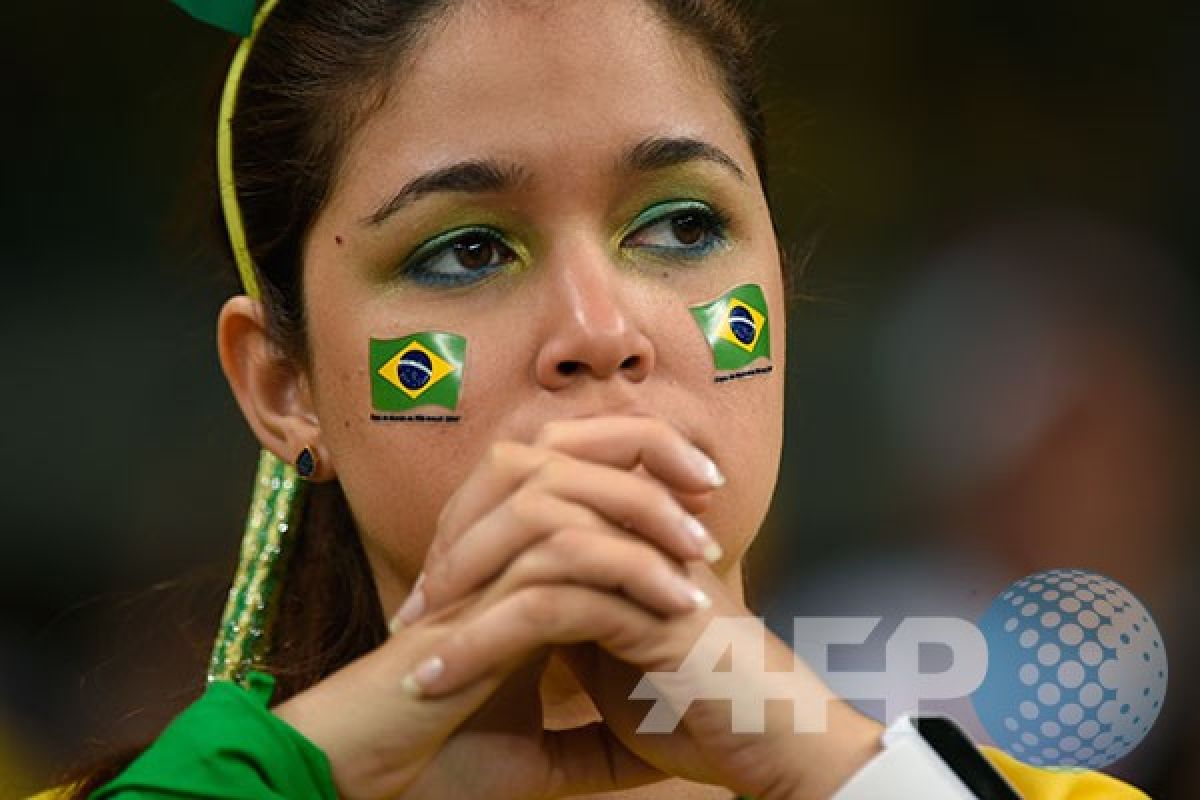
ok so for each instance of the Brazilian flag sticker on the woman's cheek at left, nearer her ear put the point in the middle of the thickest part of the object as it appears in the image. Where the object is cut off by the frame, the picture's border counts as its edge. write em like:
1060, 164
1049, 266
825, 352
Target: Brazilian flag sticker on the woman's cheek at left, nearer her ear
416, 371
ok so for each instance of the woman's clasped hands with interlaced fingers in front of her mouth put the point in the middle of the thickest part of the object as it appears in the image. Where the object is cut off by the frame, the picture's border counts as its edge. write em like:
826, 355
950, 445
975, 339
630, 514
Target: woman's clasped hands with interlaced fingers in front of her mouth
583, 545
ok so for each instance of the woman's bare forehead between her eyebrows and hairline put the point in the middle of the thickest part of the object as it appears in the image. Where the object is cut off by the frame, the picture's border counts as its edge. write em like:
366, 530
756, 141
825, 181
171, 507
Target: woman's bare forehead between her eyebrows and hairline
553, 85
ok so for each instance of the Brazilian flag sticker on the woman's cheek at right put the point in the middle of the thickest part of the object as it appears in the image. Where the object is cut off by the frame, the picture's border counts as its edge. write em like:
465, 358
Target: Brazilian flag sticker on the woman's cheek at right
736, 328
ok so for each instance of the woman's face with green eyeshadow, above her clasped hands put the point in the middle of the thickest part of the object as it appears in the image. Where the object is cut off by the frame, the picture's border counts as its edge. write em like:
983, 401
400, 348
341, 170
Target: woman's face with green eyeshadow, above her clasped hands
609, 188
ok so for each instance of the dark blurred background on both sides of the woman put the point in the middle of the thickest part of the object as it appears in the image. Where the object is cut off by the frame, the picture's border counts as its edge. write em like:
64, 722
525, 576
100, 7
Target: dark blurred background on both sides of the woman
993, 357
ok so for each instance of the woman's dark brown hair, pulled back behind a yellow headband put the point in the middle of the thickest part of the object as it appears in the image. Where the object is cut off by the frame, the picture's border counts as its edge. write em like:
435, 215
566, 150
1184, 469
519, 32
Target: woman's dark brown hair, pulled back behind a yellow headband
316, 73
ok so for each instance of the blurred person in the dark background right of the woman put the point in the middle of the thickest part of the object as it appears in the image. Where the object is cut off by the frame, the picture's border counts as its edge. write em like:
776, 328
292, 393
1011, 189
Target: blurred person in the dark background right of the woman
1039, 380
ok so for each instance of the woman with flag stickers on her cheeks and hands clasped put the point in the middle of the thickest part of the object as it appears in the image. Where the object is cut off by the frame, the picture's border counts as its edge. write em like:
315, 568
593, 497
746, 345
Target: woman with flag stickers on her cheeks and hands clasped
527, 213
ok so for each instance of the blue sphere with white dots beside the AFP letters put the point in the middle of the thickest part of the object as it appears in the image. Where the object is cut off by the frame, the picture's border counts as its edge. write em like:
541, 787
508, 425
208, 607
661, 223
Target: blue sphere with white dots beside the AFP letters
1077, 670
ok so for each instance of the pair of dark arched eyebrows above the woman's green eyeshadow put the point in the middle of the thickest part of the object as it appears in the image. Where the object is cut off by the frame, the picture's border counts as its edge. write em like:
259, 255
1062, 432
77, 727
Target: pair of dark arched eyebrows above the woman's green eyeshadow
490, 176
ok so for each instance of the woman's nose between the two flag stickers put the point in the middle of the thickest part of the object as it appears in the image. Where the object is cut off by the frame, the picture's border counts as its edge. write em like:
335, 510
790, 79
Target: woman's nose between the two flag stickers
590, 333
